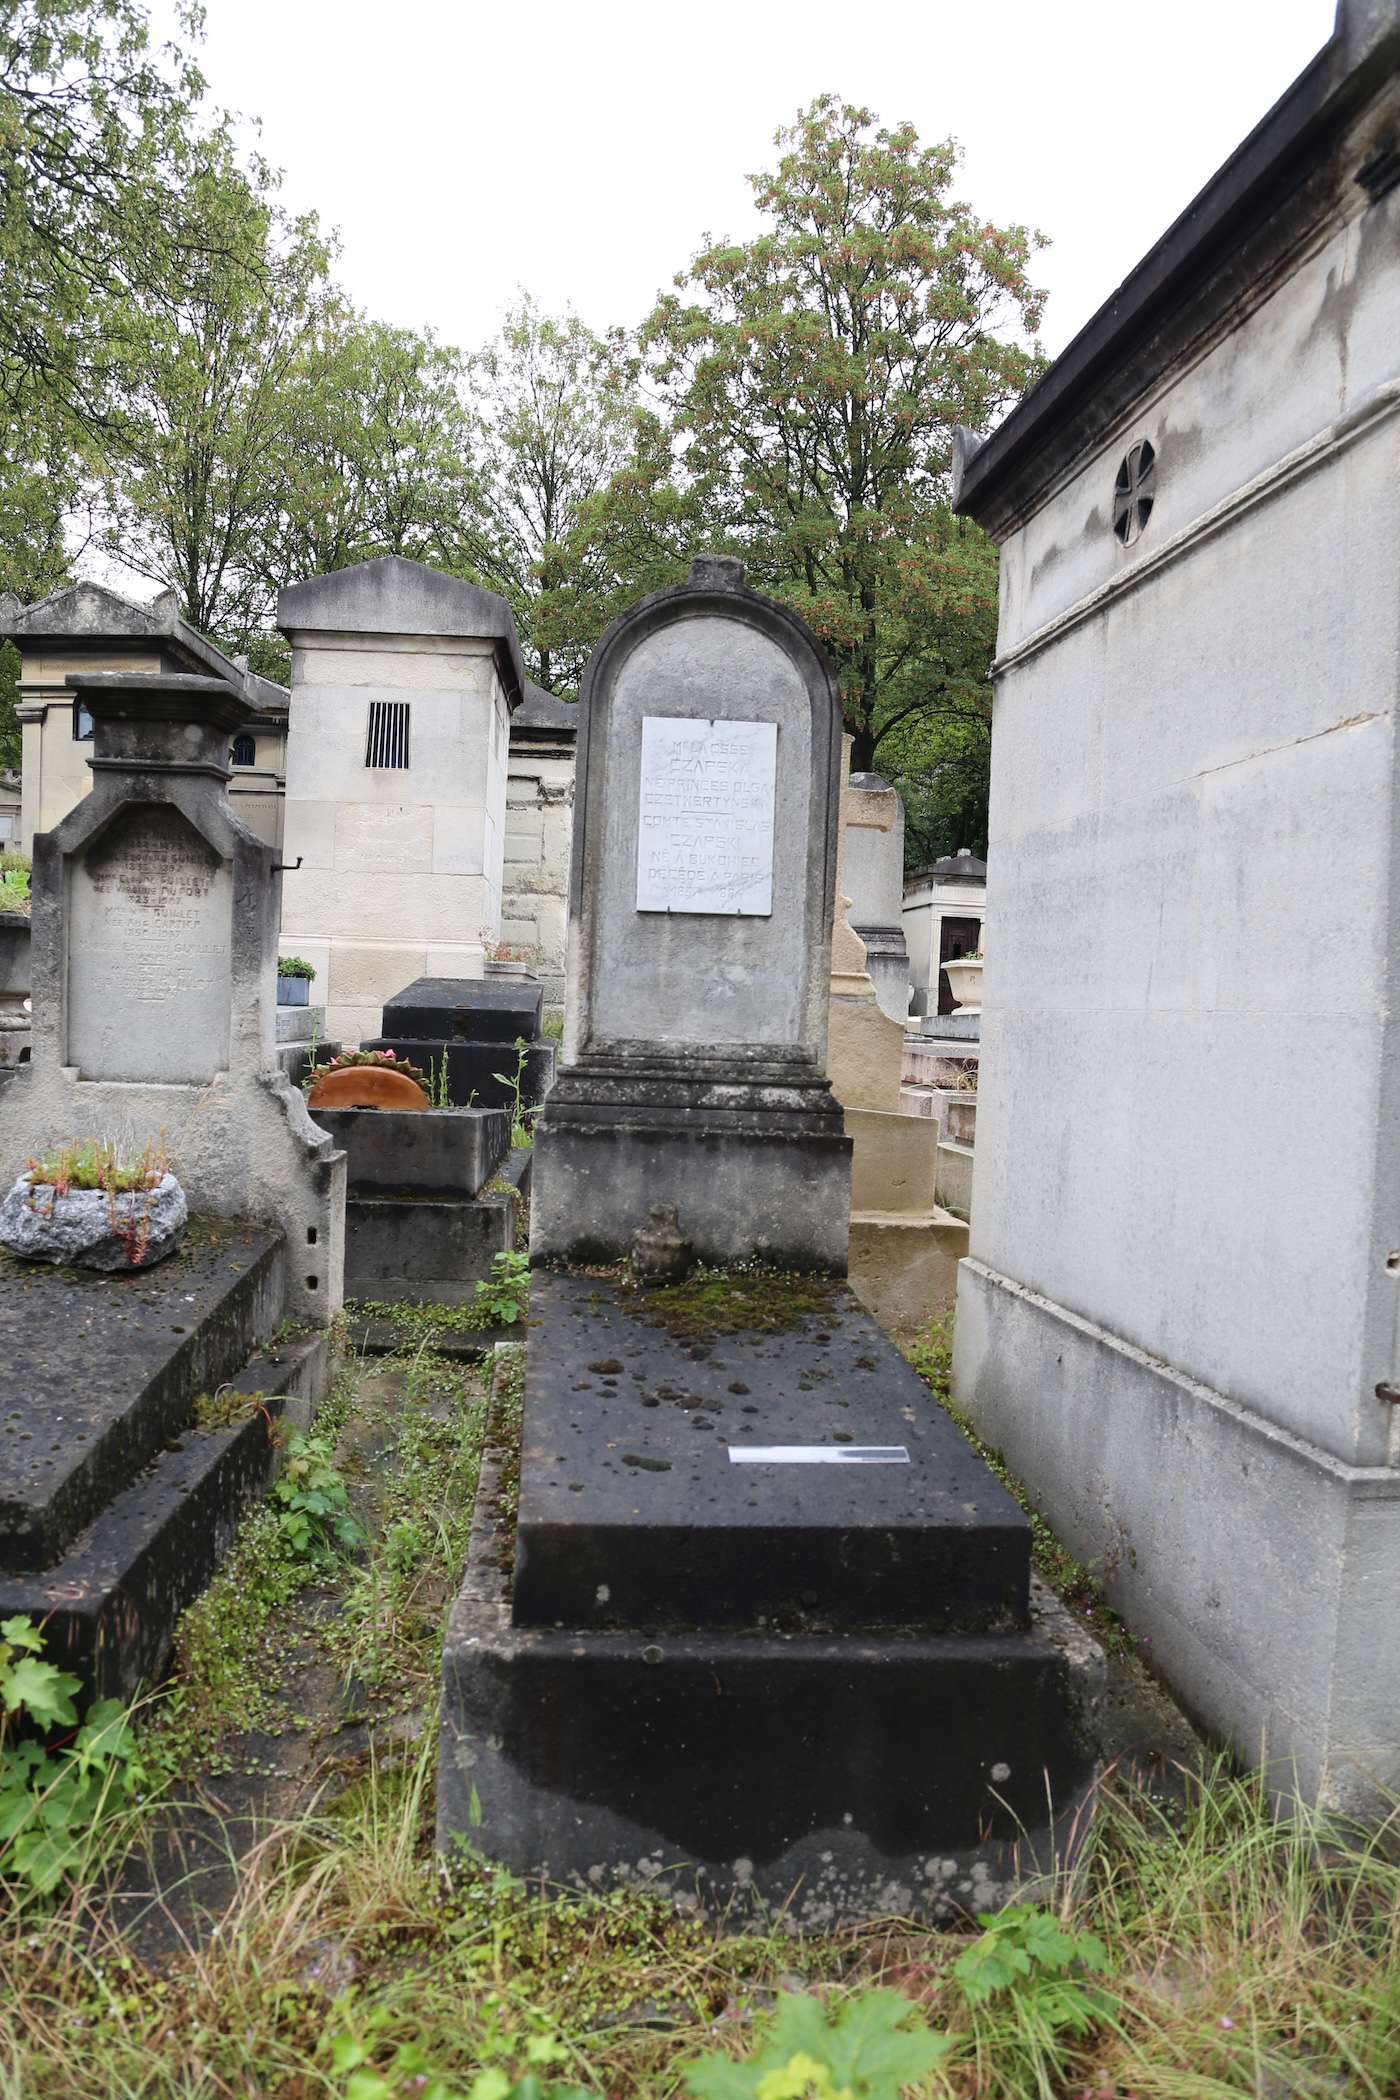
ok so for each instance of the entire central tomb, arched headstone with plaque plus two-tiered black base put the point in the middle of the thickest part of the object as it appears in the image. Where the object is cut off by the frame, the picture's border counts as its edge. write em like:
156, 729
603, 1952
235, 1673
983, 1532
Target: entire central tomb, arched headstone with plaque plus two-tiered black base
757, 1620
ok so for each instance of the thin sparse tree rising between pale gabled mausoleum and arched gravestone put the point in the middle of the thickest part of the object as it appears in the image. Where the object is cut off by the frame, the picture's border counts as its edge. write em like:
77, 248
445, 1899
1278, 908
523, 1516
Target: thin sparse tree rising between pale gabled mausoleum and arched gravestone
555, 417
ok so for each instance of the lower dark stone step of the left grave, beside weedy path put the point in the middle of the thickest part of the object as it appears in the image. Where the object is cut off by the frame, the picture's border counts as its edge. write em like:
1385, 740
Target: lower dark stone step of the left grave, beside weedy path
110, 1608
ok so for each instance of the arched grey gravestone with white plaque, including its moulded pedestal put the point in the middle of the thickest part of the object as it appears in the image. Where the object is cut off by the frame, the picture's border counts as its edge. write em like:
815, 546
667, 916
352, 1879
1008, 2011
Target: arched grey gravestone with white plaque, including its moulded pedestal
700, 940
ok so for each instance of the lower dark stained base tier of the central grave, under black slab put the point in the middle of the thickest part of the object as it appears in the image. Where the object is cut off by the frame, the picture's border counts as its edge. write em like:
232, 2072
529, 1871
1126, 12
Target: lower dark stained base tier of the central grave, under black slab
820, 1773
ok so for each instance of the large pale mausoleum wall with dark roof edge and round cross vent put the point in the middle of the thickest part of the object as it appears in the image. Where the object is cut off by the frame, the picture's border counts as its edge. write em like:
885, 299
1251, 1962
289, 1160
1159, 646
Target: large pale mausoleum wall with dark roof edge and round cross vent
1181, 1311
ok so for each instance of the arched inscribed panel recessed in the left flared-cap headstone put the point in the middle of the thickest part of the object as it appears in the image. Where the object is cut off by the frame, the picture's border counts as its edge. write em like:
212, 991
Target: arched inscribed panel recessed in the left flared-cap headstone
150, 952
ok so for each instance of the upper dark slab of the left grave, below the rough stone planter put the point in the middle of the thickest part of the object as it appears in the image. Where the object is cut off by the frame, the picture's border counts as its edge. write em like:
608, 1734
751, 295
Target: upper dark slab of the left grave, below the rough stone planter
102, 1370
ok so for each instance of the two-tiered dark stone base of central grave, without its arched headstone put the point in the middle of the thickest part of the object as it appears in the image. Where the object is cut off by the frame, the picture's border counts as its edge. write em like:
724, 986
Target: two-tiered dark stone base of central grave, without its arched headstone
826, 1683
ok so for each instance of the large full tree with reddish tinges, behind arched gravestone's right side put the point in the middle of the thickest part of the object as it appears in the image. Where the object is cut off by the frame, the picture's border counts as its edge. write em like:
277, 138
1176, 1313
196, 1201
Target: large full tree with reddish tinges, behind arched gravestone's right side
813, 379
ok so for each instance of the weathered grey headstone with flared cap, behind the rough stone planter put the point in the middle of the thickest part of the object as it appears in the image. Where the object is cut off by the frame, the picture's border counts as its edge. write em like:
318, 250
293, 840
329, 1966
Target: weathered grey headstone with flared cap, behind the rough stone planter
154, 969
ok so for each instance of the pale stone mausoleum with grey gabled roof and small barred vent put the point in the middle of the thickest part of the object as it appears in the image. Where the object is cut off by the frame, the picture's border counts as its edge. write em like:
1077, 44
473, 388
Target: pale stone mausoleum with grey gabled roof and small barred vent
402, 692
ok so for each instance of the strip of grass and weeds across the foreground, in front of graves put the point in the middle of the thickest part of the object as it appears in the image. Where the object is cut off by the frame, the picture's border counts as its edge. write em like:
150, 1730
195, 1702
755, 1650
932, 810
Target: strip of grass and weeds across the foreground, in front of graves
1208, 1952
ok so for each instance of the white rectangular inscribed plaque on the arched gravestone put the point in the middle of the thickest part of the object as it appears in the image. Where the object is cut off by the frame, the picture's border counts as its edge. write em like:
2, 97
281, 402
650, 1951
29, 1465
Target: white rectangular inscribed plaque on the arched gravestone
704, 835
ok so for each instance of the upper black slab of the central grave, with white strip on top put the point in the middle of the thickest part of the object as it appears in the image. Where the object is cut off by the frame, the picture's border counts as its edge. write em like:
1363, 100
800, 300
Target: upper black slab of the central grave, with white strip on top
639, 1505
